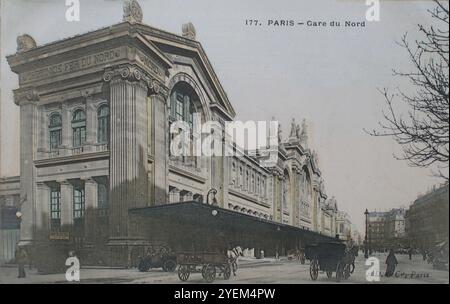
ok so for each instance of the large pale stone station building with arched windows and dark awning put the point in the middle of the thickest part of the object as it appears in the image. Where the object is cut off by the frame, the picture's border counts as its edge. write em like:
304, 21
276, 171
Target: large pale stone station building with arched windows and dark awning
95, 167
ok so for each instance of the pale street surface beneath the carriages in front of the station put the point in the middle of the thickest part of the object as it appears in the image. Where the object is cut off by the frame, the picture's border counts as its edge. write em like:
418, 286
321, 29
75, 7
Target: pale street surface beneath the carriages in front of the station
250, 271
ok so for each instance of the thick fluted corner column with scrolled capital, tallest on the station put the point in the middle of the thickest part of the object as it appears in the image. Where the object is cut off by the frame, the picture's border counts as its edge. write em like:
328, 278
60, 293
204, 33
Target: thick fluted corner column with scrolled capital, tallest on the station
128, 89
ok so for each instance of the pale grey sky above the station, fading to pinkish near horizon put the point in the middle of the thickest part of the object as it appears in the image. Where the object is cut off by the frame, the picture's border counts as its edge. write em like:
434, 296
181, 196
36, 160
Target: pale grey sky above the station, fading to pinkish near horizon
327, 75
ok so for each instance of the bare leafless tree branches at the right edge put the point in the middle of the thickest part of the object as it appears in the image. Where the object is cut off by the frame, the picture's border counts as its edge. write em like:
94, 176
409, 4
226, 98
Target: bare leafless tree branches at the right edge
423, 132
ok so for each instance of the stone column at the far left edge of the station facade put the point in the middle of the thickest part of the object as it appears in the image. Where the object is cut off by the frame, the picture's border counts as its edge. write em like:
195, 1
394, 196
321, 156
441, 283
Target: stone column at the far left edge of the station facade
27, 99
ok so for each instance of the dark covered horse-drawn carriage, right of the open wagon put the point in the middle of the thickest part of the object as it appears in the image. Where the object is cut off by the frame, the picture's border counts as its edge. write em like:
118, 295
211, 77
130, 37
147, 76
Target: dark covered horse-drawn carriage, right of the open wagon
330, 257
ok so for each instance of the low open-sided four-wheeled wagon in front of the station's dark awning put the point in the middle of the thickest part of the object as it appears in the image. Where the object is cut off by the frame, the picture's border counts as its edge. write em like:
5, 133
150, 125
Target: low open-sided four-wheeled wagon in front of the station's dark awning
209, 264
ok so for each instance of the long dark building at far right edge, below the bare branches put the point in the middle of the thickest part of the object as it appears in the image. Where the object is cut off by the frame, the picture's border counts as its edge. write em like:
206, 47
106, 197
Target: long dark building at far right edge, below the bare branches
427, 219
